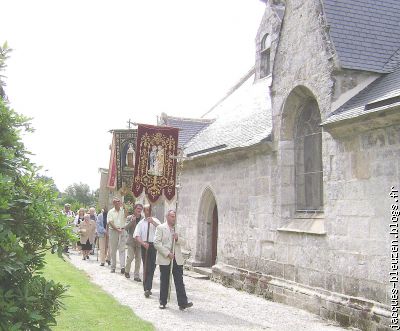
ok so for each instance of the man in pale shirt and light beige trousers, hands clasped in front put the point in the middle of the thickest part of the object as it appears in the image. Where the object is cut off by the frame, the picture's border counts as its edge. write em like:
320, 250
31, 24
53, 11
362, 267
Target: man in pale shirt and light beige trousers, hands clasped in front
117, 234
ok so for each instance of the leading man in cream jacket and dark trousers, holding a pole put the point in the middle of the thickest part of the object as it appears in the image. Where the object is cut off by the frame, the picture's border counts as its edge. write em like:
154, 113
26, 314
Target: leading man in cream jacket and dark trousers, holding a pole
165, 239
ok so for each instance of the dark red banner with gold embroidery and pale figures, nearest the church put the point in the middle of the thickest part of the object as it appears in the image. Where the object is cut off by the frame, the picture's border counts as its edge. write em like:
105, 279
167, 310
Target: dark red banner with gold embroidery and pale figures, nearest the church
155, 170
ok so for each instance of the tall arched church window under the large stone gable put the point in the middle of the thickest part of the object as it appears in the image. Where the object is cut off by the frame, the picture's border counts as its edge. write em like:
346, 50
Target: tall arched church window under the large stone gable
308, 159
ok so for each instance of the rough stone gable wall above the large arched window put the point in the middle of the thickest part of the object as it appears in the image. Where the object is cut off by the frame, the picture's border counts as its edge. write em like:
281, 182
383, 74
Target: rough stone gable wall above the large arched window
304, 57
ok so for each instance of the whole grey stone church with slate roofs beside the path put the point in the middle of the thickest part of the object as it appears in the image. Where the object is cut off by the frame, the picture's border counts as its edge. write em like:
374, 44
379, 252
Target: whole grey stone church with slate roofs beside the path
286, 189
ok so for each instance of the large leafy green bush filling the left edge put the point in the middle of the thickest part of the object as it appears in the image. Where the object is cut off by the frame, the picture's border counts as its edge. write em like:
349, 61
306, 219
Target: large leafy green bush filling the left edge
30, 224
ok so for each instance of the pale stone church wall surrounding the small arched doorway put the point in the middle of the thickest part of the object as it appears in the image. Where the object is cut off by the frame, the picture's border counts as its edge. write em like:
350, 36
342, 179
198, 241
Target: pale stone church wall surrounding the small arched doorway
240, 183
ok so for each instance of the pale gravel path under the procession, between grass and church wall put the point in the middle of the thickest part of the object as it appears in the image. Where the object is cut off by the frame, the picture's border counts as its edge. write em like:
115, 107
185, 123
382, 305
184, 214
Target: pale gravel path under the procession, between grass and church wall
215, 307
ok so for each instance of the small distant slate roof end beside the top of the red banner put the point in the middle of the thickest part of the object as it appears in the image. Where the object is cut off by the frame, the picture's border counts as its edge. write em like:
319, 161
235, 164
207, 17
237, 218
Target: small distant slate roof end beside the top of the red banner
189, 127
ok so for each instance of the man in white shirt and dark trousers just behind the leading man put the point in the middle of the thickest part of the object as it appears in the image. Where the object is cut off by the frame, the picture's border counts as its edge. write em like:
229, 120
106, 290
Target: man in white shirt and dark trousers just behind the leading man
144, 234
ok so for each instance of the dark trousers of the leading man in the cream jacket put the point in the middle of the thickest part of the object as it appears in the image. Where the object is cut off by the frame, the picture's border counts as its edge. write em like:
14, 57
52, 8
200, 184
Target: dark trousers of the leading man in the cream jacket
177, 273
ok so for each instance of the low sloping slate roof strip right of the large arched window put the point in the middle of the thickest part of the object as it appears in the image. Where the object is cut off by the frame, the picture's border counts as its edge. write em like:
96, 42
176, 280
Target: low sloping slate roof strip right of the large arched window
382, 93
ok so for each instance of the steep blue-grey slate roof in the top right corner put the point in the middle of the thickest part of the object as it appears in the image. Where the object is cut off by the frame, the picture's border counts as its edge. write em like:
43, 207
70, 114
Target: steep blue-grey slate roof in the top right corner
365, 33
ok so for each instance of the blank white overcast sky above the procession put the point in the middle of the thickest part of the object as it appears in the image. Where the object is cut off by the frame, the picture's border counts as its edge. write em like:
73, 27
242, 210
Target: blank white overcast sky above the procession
83, 67
